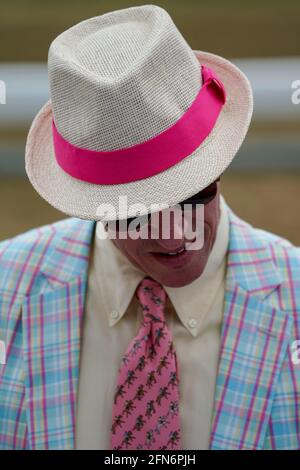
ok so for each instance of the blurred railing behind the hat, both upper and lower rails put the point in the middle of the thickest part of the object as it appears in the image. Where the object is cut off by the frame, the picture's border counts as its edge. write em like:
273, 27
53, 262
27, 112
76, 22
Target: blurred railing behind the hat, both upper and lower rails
26, 87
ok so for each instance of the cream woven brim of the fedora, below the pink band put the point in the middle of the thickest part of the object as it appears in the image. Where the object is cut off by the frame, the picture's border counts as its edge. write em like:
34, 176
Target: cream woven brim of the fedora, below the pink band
81, 199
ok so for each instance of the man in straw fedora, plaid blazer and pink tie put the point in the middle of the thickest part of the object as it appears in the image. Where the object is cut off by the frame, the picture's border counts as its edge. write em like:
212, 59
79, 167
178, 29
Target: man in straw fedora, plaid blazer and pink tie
145, 342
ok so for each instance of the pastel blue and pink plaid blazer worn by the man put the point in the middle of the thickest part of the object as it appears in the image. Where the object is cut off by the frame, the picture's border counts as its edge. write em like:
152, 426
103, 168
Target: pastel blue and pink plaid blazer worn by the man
43, 278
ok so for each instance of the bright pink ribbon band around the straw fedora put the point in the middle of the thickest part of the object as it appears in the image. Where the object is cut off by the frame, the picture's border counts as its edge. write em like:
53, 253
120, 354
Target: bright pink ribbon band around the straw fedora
154, 155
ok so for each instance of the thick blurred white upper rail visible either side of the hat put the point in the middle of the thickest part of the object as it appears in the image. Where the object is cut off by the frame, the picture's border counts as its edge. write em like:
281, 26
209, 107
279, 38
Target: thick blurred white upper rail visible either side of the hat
271, 79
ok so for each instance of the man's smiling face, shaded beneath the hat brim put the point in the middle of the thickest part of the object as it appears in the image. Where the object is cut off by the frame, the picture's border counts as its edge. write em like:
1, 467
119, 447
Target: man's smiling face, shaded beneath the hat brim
151, 255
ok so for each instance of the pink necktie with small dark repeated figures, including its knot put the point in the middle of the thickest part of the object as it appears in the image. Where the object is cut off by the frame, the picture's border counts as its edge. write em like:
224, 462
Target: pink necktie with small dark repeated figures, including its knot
146, 402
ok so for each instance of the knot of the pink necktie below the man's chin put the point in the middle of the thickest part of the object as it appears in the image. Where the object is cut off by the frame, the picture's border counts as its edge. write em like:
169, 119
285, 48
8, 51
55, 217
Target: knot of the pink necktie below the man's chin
152, 297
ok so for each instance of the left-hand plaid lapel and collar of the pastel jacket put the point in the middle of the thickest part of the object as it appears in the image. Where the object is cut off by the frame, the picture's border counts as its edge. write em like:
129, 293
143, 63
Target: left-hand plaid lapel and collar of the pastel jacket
52, 328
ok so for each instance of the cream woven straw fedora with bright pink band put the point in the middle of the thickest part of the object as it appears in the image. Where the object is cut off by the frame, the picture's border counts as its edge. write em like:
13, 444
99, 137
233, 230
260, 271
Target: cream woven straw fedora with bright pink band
134, 112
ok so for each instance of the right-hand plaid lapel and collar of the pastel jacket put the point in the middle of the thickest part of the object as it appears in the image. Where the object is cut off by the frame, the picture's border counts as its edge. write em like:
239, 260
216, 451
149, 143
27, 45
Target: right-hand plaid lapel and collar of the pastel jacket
255, 337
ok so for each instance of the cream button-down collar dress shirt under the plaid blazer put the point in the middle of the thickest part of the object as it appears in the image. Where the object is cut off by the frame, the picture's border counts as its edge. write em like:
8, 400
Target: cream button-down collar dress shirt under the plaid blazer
112, 319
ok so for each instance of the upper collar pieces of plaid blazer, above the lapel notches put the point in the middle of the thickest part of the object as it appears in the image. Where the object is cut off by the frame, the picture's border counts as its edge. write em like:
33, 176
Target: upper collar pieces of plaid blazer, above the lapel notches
250, 262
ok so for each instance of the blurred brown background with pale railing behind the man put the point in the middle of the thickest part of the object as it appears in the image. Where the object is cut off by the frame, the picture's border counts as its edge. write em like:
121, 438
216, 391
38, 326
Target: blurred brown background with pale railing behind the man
262, 37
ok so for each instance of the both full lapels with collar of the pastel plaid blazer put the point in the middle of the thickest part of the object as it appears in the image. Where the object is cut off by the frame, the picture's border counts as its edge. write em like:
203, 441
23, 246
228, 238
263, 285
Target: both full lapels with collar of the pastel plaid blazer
254, 340
